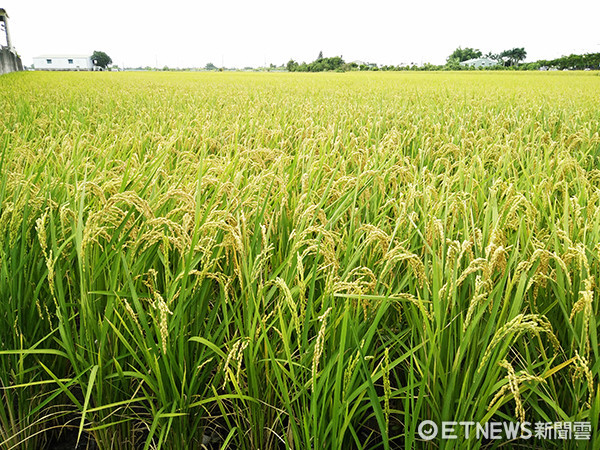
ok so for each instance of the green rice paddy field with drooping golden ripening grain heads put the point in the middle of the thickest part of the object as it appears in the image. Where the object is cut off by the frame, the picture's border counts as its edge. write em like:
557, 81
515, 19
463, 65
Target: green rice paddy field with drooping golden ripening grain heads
299, 261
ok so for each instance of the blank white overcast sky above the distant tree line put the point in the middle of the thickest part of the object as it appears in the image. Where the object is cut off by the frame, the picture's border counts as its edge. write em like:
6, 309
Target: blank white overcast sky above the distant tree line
240, 33
